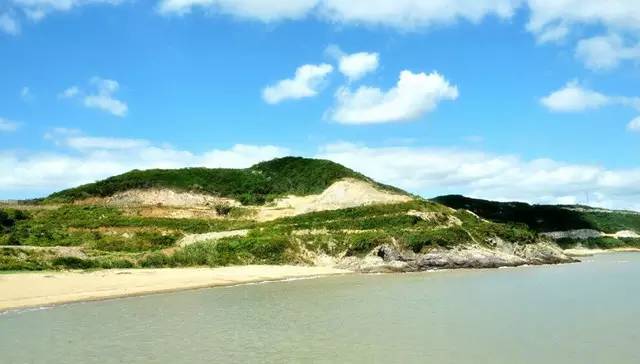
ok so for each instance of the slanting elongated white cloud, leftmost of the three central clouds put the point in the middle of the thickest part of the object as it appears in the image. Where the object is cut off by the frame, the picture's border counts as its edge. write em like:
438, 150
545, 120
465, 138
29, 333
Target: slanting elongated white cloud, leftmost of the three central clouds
307, 82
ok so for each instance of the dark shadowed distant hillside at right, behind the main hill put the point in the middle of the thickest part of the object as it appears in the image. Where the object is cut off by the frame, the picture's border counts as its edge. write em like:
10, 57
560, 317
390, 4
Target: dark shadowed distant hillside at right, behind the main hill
545, 218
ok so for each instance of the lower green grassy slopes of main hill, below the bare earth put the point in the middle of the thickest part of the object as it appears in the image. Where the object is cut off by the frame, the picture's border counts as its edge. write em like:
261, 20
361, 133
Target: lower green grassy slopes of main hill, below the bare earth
103, 237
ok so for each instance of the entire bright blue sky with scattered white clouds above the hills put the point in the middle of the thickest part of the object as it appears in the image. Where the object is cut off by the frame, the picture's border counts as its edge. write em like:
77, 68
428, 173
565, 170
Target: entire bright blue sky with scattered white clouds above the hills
530, 100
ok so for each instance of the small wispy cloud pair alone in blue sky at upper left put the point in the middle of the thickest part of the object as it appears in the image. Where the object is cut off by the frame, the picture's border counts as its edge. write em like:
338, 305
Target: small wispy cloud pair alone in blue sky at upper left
101, 98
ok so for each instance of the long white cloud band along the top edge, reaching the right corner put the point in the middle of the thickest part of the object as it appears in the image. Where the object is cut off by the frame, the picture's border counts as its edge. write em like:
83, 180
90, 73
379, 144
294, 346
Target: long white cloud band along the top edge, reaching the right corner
549, 20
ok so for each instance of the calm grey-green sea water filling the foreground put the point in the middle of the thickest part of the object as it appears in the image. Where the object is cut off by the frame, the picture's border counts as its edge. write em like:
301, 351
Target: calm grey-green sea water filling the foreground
577, 313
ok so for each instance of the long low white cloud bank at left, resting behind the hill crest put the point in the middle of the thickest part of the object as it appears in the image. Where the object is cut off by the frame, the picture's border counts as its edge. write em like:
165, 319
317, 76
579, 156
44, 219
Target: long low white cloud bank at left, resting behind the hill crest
82, 159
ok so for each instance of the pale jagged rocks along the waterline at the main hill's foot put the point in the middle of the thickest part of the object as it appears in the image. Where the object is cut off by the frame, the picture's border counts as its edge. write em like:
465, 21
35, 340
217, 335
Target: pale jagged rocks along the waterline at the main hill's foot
388, 258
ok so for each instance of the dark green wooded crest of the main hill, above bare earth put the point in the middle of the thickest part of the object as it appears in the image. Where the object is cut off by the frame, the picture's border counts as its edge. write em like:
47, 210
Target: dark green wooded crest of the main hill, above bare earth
255, 185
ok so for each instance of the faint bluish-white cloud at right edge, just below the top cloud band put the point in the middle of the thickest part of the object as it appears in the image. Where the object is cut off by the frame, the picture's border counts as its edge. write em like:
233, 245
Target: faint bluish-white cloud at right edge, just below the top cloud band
606, 52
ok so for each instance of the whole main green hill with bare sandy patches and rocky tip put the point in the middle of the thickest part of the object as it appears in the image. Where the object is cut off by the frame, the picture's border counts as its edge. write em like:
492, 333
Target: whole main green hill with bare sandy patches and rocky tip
293, 211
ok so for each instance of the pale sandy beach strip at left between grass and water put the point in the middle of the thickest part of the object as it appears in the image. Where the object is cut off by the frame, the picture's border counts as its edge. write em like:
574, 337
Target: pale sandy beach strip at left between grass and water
20, 290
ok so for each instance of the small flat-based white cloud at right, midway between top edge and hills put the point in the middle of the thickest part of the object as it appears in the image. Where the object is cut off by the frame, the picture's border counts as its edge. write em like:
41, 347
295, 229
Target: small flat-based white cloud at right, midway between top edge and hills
573, 98
